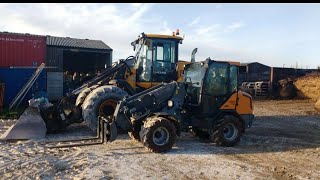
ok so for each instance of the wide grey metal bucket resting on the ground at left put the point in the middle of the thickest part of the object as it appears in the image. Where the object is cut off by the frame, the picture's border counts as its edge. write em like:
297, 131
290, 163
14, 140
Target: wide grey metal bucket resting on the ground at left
30, 125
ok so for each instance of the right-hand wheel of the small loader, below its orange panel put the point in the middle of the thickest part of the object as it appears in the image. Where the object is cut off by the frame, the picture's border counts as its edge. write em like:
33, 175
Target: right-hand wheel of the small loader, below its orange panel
227, 132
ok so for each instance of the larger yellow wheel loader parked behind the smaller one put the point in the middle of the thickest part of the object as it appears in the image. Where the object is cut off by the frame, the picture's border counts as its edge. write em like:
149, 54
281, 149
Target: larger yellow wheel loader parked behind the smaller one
156, 61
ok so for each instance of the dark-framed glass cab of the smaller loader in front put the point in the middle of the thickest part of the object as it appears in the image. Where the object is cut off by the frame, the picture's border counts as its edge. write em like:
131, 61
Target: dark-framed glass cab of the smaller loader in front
209, 85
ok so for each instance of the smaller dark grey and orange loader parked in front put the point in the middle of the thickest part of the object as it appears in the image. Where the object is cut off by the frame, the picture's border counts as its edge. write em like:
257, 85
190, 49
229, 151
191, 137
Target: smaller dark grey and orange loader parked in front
207, 101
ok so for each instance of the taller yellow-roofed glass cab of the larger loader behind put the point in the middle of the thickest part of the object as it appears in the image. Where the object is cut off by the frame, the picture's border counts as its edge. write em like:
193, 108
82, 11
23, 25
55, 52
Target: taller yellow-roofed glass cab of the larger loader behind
157, 59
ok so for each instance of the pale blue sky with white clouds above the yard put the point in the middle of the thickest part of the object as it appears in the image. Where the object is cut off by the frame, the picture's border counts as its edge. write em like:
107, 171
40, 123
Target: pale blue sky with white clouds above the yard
273, 34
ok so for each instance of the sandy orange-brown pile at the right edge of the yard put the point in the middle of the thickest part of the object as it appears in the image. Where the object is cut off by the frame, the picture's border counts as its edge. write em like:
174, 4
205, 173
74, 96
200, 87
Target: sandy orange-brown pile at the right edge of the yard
308, 87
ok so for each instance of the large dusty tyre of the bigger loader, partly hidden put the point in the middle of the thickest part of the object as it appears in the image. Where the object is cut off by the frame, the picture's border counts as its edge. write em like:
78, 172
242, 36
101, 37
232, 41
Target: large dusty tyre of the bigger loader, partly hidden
101, 102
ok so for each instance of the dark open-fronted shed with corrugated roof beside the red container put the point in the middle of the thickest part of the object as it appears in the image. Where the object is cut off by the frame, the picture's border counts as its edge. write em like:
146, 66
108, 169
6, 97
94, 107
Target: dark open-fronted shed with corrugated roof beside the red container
72, 60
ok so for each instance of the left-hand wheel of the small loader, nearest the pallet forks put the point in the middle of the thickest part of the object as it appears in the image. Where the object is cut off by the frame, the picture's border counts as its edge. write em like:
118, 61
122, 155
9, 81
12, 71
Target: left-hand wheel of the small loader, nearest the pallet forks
158, 134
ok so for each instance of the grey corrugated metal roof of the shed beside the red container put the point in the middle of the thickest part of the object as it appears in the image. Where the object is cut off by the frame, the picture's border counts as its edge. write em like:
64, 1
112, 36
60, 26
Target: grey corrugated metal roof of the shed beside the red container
77, 43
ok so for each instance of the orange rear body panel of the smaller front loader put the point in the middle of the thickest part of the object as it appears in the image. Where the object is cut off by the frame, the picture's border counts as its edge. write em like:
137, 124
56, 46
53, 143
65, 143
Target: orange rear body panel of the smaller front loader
243, 105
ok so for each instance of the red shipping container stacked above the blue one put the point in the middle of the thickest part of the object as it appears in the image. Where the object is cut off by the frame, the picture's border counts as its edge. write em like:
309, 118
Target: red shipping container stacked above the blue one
21, 49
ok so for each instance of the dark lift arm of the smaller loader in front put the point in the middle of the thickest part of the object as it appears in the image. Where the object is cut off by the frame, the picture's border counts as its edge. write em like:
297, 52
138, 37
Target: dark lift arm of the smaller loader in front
133, 111
